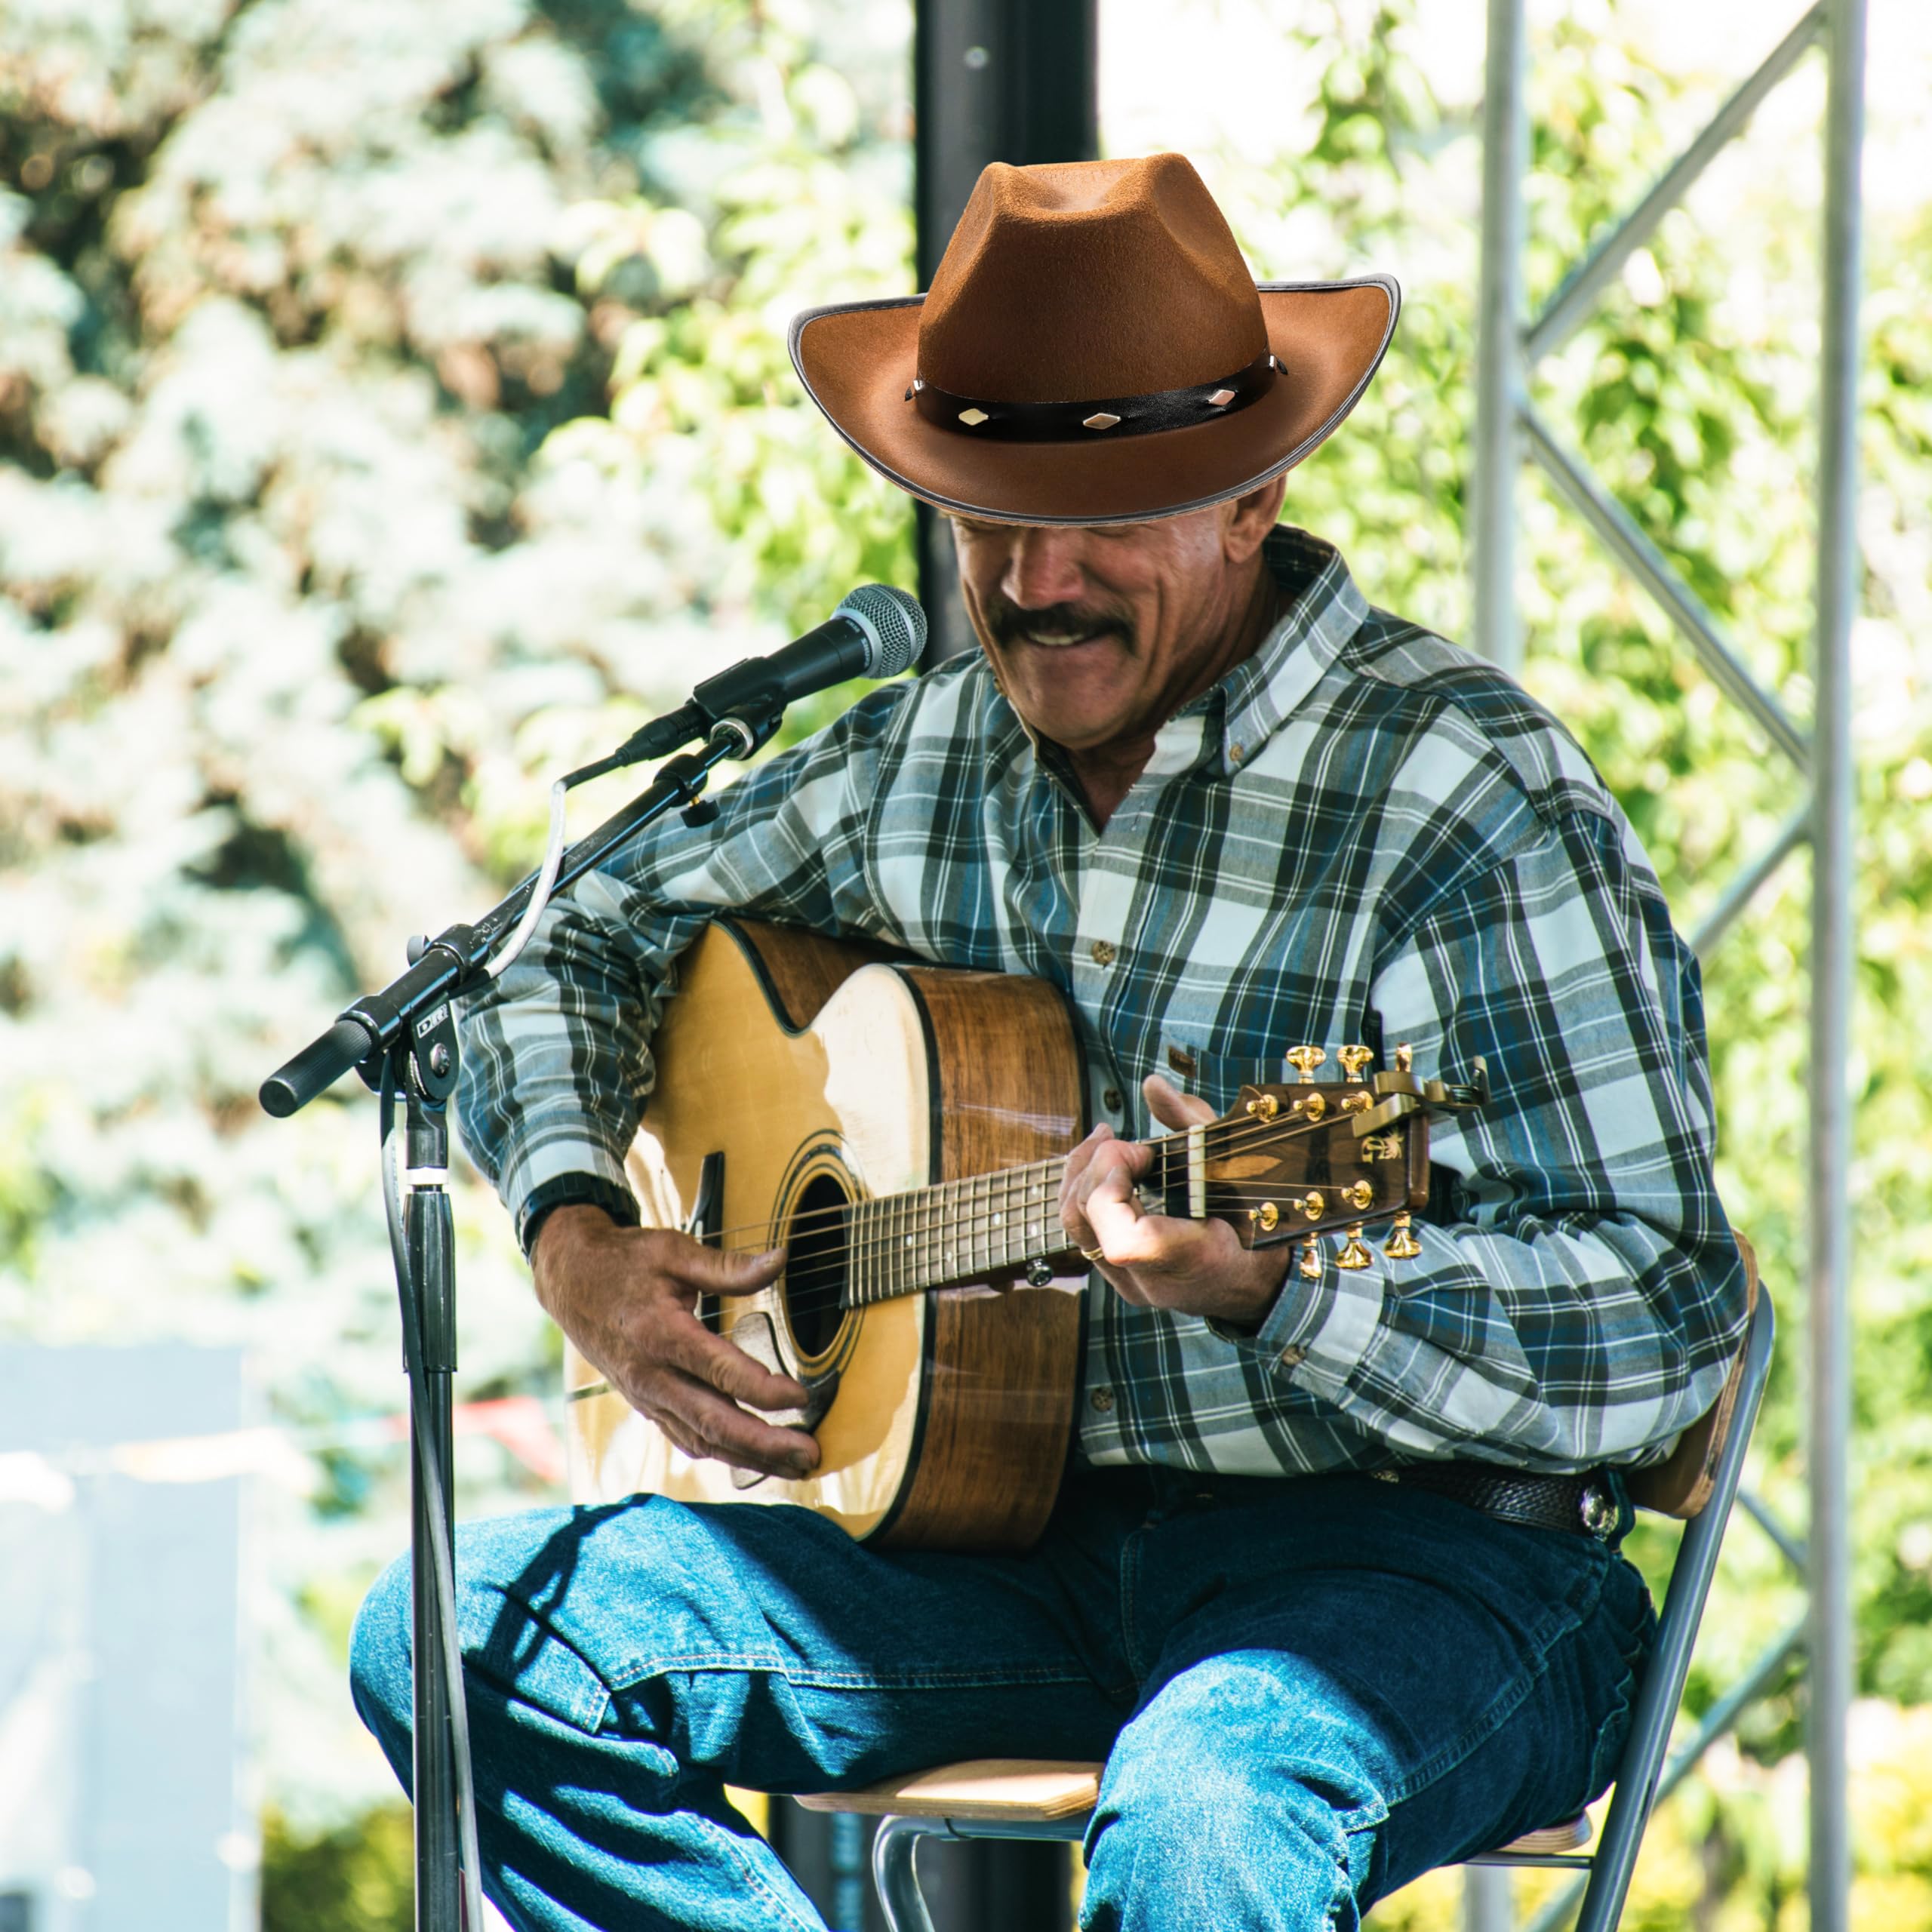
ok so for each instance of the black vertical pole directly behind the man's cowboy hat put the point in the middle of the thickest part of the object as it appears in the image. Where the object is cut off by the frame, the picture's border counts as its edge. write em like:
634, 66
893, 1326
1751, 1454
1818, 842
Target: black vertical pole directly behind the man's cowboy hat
992, 80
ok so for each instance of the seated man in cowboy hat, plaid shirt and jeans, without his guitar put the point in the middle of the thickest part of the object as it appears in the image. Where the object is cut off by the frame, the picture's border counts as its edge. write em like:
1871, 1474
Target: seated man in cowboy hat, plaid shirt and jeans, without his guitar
1334, 1581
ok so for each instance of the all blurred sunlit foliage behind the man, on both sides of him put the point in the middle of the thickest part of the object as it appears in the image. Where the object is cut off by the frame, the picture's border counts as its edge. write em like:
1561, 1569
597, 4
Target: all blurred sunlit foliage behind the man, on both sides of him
395, 407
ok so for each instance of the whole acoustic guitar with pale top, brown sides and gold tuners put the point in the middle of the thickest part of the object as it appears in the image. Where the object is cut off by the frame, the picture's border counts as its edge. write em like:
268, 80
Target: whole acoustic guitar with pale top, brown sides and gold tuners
901, 1129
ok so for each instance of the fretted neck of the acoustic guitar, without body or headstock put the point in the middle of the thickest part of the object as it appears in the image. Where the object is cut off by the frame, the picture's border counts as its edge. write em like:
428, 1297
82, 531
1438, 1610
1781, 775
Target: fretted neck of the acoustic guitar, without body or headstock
986, 1226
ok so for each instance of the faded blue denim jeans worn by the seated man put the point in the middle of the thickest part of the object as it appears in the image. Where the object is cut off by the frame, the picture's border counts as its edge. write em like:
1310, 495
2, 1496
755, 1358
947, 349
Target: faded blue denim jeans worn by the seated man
1307, 1691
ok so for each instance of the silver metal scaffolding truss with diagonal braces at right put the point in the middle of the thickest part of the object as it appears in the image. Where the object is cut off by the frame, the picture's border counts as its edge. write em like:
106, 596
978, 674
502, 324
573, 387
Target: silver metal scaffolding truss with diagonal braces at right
1512, 430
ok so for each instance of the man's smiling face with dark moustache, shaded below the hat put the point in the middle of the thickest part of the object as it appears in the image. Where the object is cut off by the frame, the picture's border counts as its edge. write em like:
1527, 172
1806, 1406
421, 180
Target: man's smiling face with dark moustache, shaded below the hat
1102, 631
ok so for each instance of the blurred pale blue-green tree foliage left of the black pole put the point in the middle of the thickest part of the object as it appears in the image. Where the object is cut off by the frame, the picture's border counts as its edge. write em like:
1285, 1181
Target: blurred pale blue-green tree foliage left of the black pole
318, 552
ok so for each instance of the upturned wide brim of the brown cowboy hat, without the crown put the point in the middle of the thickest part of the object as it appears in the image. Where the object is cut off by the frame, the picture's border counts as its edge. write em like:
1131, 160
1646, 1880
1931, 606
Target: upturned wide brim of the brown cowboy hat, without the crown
859, 358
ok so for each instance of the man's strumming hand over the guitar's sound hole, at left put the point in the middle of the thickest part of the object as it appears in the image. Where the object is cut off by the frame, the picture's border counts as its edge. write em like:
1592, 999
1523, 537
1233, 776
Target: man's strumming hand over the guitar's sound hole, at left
629, 1299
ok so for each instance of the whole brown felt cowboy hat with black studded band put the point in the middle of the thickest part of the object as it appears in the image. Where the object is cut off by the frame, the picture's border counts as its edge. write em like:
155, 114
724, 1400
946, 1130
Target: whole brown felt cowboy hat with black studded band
1093, 353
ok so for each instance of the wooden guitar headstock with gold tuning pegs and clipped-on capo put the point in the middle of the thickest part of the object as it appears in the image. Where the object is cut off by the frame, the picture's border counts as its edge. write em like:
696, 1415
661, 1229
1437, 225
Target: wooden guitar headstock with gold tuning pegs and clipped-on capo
1307, 1158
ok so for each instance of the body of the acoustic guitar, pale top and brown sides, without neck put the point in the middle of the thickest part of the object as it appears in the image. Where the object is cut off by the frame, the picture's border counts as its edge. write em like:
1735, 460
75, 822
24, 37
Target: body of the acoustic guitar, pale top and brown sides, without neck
797, 1075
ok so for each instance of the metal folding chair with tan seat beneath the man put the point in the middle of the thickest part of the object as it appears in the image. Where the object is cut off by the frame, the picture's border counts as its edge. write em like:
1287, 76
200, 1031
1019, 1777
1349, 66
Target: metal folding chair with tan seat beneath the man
1017, 1798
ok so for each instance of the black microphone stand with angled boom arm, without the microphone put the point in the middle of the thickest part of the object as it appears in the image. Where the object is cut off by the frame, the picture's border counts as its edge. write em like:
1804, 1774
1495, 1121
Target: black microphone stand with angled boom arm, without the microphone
403, 1040
